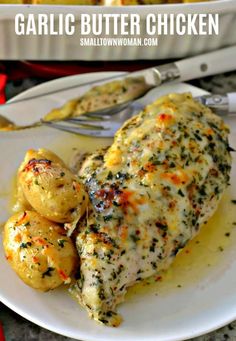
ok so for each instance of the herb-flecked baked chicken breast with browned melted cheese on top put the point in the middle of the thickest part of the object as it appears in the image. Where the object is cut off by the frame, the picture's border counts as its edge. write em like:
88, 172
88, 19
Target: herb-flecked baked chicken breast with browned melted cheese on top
150, 192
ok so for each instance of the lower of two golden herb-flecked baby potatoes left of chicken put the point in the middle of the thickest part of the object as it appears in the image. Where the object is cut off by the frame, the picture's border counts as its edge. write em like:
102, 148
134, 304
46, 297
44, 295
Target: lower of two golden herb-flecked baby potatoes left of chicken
38, 250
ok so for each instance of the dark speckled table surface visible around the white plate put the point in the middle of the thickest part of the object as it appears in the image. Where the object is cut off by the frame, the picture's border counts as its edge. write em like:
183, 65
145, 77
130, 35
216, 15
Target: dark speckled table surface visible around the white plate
17, 328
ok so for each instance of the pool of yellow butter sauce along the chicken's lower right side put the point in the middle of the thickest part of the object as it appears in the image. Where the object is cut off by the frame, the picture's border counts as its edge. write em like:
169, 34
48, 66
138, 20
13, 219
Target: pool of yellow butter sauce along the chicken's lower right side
200, 255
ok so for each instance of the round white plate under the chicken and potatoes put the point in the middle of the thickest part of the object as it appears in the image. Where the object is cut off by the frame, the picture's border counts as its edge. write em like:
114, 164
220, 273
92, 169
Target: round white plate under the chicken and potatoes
202, 306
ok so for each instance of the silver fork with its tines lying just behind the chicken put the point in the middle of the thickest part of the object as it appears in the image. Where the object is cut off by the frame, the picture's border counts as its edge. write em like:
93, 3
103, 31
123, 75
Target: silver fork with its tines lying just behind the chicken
107, 125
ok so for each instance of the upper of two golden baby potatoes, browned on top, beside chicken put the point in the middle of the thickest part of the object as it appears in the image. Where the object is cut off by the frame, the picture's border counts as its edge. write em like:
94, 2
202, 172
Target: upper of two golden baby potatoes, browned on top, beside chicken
51, 188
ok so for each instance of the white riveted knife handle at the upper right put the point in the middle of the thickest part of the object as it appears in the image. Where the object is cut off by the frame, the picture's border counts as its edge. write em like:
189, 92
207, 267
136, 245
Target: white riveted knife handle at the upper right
207, 64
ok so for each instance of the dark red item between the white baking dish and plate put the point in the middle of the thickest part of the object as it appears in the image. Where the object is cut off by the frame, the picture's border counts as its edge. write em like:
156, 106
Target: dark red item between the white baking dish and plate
19, 71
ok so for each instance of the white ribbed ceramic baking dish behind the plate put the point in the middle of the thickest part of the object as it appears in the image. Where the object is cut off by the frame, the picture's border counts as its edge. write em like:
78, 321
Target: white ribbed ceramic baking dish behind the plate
68, 47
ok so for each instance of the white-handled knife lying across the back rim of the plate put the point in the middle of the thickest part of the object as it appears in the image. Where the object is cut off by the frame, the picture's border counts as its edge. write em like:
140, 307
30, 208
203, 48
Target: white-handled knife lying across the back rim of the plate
203, 65
